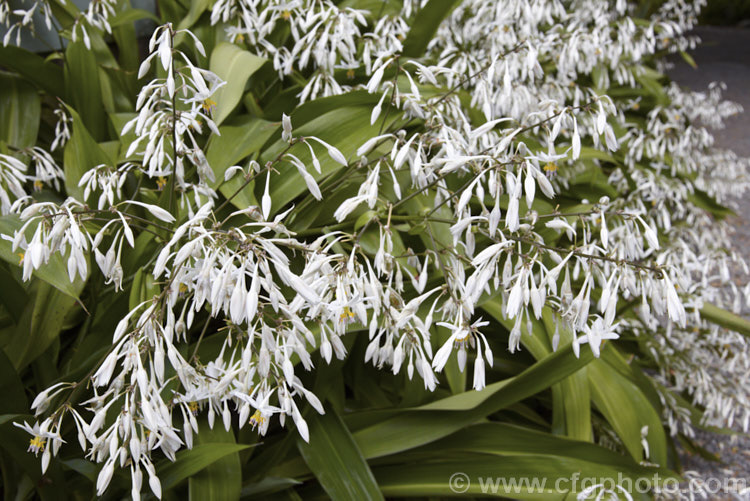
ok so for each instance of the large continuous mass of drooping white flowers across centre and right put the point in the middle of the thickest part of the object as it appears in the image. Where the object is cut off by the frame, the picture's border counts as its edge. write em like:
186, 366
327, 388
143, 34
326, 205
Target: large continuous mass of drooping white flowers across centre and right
478, 139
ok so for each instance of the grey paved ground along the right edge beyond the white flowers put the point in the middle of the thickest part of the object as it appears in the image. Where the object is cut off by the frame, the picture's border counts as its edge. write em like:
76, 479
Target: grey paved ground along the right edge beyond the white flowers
725, 56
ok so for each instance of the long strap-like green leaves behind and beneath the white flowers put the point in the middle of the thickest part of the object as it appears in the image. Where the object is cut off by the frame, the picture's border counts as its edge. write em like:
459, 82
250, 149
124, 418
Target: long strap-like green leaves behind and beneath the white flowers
382, 435
